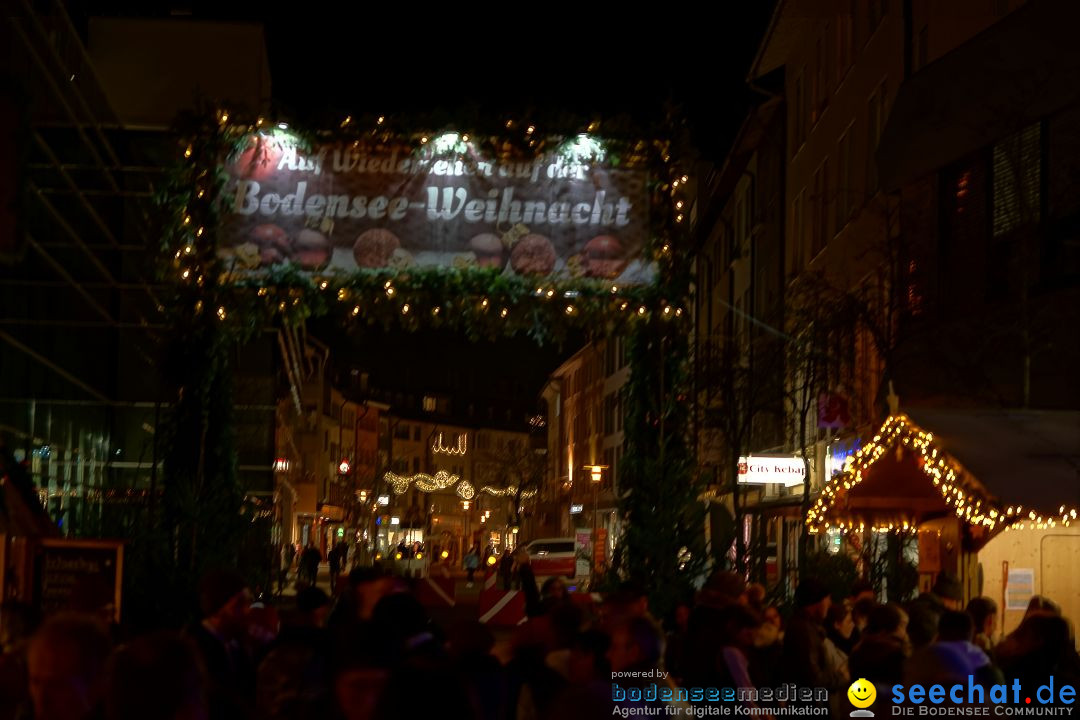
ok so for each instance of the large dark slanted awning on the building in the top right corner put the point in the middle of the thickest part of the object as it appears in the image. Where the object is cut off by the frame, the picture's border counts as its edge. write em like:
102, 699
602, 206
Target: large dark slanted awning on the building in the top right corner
1019, 71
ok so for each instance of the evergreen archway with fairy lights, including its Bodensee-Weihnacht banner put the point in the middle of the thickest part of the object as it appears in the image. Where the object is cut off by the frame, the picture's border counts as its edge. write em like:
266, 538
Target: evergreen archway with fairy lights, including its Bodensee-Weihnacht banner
510, 229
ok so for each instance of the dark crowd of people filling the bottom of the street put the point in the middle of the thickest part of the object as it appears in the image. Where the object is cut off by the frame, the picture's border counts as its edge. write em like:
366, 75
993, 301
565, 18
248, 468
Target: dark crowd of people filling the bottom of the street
373, 651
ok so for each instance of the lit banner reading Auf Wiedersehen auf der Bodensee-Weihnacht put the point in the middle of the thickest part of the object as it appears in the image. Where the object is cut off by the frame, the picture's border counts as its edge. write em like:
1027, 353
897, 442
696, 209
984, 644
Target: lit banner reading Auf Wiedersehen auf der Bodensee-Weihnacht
566, 214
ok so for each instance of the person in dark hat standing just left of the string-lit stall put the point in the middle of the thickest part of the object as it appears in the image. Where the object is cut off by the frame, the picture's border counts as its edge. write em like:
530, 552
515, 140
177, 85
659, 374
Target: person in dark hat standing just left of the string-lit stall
805, 656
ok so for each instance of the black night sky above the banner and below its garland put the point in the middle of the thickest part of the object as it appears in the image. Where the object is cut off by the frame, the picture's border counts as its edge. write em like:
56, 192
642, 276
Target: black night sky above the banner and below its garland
466, 60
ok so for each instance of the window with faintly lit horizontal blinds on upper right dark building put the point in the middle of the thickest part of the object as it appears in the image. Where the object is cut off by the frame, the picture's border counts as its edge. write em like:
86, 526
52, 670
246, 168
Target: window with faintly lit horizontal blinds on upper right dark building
1018, 180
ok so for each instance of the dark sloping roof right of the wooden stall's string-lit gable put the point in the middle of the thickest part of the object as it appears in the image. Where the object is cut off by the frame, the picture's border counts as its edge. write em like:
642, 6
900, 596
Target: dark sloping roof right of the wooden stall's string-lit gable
1030, 458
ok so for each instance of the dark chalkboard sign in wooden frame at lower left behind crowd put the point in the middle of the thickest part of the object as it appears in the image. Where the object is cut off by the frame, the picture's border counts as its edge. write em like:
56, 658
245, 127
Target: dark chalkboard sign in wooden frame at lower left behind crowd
78, 575
